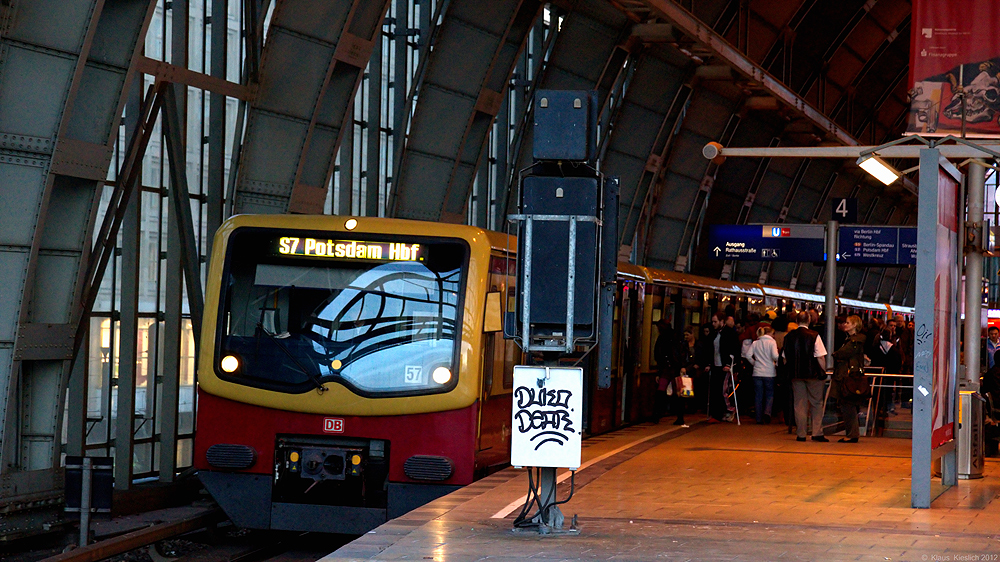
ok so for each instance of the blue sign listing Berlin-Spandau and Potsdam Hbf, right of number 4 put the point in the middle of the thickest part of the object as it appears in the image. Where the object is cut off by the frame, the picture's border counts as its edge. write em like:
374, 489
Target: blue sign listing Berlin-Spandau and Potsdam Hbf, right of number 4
877, 245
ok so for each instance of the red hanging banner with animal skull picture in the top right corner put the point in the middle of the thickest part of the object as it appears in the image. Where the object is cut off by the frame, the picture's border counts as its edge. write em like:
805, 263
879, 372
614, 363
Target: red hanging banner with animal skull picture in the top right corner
955, 47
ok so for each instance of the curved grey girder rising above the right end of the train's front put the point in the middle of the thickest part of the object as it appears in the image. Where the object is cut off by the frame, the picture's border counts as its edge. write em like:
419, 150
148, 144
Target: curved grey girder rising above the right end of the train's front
458, 97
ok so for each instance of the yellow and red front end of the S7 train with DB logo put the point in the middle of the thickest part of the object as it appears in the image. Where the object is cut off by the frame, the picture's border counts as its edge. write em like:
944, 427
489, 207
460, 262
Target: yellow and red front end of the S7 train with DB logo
337, 374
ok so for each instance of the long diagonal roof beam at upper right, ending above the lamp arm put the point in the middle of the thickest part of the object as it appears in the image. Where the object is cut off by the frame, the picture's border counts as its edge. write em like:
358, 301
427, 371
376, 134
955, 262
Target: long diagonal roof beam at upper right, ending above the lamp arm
686, 22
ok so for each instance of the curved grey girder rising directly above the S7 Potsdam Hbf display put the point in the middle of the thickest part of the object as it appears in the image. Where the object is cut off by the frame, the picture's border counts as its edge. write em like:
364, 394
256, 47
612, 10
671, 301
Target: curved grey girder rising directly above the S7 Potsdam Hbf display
312, 64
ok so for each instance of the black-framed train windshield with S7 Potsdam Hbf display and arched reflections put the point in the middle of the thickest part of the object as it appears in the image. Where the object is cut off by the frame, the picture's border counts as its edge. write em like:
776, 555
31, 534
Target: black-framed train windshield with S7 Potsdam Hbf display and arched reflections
381, 317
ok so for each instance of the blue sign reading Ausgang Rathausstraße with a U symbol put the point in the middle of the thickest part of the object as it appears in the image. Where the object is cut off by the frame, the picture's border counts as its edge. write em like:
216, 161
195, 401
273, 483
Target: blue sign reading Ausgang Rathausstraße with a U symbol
768, 242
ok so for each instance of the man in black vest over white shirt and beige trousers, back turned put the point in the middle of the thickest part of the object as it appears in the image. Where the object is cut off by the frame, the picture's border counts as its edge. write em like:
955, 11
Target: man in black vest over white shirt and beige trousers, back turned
803, 352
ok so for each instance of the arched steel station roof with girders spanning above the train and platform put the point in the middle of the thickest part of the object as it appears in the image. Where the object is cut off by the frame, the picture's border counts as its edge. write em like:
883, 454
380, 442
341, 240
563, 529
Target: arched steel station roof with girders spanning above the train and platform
671, 76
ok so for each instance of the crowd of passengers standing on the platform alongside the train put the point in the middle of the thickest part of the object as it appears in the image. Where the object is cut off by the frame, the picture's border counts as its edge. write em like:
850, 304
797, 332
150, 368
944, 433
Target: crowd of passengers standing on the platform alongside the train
783, 360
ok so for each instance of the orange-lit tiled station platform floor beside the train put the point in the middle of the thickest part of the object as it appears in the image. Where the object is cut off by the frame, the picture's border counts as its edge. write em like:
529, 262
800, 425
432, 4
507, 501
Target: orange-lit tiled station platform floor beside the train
710, 492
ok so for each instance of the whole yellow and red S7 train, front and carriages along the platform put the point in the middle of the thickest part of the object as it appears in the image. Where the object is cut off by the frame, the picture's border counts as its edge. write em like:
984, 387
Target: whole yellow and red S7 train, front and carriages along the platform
352, 369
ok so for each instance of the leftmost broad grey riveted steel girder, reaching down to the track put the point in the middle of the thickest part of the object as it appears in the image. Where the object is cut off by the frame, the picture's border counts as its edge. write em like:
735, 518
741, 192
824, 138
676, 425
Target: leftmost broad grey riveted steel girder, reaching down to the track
64, 70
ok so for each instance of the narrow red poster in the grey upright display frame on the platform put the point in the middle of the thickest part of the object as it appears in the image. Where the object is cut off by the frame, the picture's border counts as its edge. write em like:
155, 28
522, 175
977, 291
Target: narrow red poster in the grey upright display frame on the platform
946, 286
